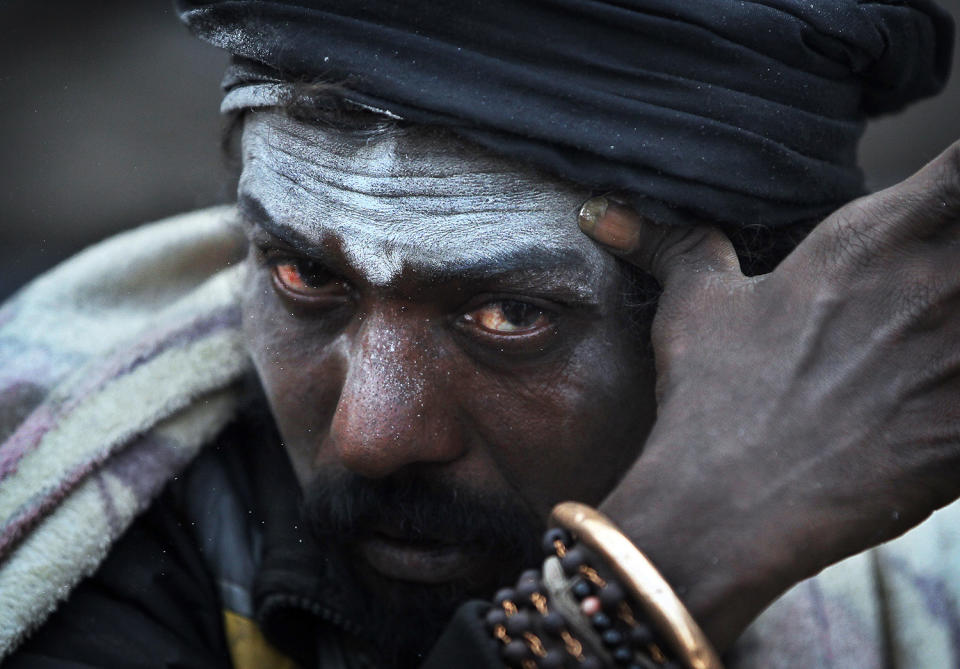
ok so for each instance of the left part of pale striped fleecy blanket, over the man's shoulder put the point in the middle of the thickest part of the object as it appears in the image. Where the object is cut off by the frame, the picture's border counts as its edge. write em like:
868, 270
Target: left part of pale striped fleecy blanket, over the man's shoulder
115, 368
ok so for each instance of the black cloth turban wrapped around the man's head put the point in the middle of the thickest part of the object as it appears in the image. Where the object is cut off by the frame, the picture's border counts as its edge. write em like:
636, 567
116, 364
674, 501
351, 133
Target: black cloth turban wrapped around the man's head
737, 111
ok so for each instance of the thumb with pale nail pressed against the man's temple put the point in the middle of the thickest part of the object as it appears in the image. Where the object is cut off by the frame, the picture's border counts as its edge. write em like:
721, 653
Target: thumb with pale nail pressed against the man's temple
672, 254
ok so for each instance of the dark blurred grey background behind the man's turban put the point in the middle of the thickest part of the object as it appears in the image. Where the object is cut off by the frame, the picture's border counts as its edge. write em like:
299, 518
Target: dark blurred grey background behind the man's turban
109, 118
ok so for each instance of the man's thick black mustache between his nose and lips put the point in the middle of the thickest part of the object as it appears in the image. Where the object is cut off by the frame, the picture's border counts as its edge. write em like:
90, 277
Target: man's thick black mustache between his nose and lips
410, 506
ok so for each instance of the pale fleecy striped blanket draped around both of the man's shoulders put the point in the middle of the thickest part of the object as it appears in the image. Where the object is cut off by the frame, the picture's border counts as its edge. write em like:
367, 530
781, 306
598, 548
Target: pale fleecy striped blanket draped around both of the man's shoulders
119, 365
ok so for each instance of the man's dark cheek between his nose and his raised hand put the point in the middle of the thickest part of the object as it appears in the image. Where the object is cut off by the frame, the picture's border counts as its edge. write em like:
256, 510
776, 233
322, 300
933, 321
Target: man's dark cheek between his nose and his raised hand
569, 433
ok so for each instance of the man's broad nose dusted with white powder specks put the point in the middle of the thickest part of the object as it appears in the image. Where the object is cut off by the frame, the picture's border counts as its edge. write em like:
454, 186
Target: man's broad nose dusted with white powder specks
393, 410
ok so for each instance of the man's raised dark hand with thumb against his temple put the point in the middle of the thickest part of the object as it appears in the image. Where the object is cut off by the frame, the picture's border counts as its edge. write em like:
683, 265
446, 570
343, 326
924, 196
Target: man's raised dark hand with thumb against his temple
804, 415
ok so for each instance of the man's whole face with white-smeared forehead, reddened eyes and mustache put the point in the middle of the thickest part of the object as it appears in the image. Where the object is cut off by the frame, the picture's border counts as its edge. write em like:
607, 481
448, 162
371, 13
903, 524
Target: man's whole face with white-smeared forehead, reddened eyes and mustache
435, 338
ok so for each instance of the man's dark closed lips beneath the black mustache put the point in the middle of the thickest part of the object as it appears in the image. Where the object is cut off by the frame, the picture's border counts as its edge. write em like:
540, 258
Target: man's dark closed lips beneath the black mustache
419, 562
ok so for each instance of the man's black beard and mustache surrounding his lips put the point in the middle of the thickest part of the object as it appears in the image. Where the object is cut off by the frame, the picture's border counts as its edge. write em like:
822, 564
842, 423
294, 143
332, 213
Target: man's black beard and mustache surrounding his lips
341, 510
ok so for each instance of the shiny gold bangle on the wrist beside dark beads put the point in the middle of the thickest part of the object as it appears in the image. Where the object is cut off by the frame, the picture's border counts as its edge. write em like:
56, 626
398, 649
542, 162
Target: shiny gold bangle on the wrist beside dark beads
666, 612
